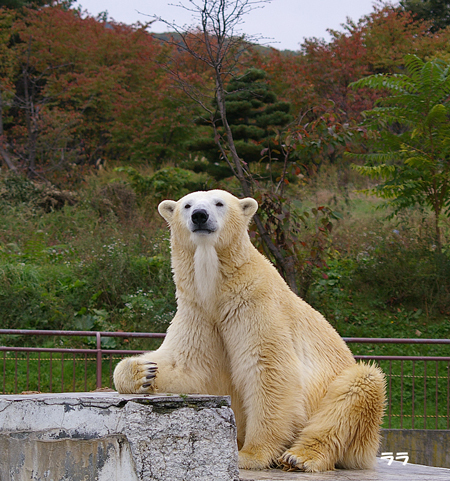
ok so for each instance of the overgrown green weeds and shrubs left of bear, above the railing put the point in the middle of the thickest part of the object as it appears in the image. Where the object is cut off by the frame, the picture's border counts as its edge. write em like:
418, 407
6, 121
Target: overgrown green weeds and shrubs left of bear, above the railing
76, 268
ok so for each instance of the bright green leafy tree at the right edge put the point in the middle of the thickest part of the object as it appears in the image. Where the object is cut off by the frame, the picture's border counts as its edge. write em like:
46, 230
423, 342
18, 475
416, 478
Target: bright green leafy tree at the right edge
412, 151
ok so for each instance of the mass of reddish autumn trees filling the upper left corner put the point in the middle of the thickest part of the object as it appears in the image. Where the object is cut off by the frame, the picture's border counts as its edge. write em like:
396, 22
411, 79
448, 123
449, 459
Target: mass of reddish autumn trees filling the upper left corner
81, 91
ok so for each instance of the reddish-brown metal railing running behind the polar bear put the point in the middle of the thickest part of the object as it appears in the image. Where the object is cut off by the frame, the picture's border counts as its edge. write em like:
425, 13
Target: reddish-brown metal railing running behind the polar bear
418, 387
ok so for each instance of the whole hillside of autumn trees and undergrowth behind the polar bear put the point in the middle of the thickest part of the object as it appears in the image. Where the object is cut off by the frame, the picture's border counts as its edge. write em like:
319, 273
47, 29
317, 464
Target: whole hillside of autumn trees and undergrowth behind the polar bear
99, 121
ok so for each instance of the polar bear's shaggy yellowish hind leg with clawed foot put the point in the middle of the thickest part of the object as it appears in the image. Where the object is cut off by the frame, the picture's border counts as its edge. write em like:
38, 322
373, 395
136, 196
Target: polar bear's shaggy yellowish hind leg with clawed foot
344, 431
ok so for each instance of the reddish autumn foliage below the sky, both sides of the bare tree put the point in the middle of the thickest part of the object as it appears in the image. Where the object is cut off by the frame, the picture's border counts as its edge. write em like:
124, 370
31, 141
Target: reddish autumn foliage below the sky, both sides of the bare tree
78, 91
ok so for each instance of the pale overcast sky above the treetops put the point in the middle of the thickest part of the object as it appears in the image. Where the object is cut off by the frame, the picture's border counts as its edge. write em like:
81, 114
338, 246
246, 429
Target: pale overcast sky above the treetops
284, 23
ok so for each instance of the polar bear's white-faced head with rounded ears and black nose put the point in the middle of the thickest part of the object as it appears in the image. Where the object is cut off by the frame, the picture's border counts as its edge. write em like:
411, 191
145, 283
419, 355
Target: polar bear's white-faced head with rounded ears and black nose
208, 217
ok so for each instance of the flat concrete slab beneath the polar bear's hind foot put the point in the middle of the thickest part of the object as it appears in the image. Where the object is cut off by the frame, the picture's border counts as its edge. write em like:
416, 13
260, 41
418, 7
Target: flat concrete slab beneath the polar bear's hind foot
382, 472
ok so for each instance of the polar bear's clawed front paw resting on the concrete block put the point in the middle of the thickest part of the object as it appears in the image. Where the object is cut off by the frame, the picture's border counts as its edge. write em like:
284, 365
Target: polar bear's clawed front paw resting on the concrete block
135, 375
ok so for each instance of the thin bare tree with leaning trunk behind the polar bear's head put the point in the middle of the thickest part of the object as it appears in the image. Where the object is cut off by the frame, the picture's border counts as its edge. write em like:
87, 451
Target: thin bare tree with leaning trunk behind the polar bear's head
219, 47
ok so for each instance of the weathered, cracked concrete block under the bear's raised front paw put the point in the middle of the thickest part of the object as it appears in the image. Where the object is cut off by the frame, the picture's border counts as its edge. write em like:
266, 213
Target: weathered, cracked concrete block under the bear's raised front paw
107, 437
